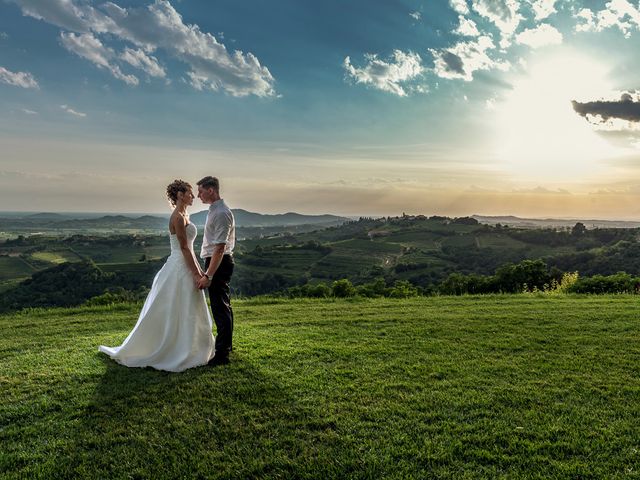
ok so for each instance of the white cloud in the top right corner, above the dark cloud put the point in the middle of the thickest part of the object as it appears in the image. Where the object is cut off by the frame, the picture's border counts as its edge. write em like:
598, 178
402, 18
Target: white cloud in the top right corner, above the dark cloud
617, 13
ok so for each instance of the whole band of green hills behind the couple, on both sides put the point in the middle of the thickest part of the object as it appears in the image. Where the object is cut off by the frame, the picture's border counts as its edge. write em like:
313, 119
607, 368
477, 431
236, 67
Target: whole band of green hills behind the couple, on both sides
423, 251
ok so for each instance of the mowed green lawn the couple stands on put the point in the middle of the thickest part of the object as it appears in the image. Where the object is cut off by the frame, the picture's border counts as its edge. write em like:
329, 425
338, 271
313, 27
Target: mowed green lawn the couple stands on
441, 387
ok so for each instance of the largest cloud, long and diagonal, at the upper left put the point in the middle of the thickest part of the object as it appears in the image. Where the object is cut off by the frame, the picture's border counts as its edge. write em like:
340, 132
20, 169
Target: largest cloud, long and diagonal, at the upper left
159, 26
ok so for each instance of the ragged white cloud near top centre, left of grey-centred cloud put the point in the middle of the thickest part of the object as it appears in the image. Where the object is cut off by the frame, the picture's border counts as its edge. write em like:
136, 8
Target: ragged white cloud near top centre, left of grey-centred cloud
387, 76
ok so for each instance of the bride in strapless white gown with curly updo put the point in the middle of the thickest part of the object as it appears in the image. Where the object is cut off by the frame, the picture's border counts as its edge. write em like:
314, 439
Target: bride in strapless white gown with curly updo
174, 329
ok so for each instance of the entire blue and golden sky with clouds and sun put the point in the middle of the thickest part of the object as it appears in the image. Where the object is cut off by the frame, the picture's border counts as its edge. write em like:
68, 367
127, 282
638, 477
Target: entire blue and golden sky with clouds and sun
350, 107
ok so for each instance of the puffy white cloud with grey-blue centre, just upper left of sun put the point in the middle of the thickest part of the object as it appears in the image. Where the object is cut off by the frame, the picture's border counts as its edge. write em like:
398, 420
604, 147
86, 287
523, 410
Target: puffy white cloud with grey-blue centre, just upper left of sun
464, 58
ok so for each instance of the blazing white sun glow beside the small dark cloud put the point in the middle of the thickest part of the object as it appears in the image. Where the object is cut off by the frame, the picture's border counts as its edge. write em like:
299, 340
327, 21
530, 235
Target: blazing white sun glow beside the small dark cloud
539, 135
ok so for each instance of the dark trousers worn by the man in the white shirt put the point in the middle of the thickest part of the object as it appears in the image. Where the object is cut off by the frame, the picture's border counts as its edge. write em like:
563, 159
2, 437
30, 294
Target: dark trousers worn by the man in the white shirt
219, 295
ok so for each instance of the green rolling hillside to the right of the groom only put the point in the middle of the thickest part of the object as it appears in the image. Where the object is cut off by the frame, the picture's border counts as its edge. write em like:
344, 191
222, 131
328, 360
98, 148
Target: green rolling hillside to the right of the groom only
425, 251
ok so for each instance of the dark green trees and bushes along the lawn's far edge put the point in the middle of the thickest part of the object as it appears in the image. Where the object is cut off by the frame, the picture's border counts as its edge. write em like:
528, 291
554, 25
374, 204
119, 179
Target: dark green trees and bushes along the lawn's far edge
79, 283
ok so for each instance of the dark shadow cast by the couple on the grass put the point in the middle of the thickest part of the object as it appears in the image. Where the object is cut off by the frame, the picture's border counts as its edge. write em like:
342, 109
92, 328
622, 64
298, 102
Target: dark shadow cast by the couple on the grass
226, 422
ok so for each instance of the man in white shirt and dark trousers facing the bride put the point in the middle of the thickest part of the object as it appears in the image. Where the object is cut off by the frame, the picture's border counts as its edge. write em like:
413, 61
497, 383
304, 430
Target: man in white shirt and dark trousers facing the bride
217, 249
